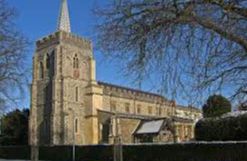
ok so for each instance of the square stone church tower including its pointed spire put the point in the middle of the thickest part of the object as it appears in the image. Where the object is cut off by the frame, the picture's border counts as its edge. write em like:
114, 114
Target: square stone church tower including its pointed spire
63, 71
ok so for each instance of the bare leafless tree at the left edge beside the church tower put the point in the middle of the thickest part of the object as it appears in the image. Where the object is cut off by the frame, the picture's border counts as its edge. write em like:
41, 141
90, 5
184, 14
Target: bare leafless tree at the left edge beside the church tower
12, 57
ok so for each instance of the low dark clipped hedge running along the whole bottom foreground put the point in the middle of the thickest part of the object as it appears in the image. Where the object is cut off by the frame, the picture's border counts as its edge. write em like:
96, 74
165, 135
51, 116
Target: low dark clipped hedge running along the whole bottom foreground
167, 152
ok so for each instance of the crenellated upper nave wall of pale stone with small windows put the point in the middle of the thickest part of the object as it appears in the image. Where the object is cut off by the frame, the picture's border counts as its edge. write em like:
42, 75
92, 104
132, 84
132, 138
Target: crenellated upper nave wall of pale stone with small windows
145, 104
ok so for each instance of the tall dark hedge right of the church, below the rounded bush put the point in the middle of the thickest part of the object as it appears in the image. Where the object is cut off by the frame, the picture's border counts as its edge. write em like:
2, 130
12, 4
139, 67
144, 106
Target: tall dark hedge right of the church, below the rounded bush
222, 129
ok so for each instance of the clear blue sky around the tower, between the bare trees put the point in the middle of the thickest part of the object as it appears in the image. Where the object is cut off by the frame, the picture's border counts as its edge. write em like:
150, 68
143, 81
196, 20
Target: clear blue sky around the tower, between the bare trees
39, 18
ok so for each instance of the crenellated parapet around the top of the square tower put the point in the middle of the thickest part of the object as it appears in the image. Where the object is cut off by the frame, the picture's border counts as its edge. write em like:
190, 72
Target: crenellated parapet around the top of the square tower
62, 37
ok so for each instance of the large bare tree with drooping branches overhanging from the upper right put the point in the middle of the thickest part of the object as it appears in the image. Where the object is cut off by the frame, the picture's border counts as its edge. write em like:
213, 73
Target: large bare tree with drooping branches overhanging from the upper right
184, 45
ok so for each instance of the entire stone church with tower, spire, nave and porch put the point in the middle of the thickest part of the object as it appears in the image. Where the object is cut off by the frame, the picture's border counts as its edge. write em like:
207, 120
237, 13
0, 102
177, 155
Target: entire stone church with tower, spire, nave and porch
69, 106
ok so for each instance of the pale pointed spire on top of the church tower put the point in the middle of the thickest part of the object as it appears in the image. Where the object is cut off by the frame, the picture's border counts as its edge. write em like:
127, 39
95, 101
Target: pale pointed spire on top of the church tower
64, 21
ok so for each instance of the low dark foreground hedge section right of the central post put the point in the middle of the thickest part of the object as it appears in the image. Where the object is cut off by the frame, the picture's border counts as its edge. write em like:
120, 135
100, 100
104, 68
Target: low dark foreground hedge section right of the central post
187, 152
